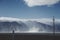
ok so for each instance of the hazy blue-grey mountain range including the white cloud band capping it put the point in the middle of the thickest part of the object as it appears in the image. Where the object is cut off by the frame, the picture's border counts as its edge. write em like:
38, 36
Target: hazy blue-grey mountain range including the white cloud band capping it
7, 24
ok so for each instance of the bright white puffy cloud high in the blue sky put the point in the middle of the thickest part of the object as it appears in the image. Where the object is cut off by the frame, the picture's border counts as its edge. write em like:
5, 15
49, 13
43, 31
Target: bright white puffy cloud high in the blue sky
32, 3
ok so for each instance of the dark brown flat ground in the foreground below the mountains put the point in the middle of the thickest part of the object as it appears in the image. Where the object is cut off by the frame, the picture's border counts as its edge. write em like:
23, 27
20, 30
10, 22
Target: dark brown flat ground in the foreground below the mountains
29, 36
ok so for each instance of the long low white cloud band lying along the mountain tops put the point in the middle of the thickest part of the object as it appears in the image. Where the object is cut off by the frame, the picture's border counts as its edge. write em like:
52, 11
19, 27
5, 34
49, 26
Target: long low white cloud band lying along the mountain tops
42, 20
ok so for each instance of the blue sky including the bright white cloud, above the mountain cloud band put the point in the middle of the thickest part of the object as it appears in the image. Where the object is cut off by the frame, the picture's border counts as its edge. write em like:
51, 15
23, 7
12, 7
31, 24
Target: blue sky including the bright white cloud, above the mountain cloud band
30, 8
